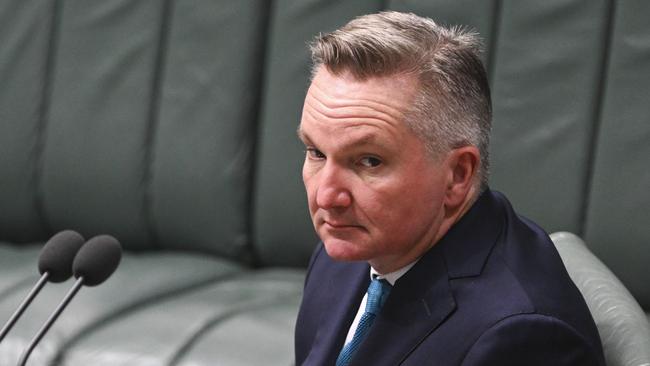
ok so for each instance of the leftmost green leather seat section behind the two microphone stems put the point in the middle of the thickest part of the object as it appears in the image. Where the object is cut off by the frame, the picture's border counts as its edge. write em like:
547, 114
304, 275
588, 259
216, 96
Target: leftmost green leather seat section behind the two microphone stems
139, 281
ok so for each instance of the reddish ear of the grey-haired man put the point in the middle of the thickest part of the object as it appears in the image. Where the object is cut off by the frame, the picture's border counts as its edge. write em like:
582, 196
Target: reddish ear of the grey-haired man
463, 164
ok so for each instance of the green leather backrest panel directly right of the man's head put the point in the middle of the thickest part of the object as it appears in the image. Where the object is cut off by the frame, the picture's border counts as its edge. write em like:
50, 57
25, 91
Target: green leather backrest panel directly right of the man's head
545, 88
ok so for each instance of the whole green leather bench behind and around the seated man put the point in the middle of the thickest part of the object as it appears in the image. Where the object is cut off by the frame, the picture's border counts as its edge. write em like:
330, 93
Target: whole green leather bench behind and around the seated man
171, 126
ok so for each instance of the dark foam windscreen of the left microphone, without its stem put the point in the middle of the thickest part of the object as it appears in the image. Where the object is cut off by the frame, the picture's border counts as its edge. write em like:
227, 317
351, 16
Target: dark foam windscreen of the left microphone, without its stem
57, 255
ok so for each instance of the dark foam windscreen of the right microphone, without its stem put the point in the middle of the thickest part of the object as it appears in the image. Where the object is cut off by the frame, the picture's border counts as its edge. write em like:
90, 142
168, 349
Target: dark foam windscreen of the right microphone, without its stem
97, 260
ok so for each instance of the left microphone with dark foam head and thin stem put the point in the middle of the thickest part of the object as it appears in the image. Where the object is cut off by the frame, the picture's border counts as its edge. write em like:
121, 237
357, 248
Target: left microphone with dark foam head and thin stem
54, 264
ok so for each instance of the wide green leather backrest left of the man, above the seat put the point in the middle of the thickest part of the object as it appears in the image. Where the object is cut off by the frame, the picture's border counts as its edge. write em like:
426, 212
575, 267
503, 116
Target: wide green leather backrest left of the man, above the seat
147, 123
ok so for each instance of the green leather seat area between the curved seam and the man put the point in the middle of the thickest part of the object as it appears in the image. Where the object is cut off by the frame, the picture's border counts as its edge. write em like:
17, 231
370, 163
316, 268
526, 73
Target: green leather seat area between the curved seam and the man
246, 319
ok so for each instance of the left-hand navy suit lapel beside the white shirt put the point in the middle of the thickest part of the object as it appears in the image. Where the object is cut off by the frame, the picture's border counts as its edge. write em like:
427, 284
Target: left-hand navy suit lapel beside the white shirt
345, 288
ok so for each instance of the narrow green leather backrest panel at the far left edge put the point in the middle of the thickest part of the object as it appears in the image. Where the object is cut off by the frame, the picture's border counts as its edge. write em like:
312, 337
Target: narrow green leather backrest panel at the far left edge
24, 39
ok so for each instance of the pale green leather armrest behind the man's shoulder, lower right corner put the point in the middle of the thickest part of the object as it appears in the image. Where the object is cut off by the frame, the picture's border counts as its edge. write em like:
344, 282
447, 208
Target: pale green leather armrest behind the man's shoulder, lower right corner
623, 326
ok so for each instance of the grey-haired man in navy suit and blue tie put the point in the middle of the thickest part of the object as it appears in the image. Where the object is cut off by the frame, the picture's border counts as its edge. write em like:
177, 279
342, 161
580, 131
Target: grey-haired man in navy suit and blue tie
420, 262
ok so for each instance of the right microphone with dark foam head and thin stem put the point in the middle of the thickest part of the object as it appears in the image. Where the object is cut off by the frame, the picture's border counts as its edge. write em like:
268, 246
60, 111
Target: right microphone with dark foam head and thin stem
94, 263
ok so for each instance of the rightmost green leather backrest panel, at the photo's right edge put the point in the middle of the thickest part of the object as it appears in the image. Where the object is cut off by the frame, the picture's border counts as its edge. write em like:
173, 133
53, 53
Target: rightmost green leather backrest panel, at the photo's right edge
617, 227
